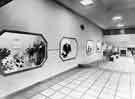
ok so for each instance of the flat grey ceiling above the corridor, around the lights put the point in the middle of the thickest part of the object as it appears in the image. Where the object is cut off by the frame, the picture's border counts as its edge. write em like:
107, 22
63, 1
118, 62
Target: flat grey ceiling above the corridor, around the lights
103, 11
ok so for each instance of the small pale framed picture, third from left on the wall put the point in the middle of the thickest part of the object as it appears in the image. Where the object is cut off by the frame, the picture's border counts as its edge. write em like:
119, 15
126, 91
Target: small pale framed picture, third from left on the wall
89, 47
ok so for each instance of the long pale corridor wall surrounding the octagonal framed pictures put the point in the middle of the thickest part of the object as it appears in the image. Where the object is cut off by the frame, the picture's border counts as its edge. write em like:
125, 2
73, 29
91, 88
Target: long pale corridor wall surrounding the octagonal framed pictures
54, 22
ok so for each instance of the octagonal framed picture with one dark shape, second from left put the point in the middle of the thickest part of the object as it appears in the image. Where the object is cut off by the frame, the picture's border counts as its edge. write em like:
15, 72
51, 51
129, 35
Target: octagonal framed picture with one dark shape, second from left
68, 48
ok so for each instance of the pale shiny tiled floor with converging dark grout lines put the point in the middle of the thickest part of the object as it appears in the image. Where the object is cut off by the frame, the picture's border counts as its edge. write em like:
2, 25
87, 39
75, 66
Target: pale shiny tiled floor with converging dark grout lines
83, 83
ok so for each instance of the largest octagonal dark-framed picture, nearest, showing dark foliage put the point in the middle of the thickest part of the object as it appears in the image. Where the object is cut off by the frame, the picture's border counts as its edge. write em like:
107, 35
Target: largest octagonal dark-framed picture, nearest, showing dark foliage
21, 51
